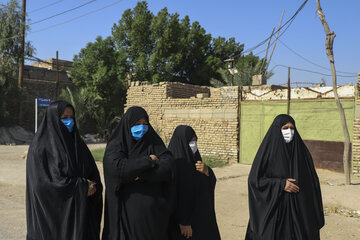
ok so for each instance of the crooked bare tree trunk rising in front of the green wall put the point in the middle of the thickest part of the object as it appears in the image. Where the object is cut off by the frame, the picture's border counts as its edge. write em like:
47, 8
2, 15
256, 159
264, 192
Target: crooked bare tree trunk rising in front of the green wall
329, 52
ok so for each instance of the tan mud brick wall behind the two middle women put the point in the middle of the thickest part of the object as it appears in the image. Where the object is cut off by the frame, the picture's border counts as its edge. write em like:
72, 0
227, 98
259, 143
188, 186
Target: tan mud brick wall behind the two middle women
212, 112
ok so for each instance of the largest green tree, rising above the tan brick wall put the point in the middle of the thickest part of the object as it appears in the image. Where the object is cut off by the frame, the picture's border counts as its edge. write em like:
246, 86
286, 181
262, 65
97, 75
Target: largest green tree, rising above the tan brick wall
164, 47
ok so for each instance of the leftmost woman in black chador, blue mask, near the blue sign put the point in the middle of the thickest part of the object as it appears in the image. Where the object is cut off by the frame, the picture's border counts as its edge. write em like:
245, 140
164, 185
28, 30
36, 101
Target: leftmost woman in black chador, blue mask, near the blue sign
63, 188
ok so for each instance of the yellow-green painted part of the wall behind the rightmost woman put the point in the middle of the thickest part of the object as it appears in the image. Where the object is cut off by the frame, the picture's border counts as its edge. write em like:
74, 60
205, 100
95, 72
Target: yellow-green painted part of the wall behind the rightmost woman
316, 120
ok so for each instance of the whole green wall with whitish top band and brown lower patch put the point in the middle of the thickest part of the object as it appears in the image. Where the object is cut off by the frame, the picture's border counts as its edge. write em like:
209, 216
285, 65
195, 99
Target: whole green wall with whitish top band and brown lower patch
314, 110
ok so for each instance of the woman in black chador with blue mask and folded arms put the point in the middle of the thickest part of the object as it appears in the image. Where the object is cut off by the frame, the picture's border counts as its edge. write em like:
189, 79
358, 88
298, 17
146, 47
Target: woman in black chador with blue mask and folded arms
138, 171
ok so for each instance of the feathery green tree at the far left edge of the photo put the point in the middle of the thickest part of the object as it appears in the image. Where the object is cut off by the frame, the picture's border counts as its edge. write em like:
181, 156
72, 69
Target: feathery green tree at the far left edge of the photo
10, 55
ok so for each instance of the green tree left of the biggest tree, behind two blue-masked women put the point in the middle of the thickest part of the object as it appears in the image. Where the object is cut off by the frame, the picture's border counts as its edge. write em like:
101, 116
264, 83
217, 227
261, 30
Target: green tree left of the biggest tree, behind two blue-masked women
99, 72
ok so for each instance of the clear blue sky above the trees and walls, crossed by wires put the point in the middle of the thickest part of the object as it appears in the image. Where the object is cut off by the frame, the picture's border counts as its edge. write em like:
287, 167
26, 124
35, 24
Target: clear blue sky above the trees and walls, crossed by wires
249, 21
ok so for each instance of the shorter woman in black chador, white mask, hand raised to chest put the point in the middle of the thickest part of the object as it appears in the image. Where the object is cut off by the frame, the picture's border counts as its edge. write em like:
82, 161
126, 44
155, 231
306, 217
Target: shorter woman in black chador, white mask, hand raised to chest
195, 184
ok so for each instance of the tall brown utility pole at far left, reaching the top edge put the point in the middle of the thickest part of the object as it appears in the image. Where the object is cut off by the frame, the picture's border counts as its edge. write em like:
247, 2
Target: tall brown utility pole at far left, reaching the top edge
22, 49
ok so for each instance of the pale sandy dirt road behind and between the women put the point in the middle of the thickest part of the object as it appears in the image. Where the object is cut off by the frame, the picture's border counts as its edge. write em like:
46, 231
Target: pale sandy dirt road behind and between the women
231, 199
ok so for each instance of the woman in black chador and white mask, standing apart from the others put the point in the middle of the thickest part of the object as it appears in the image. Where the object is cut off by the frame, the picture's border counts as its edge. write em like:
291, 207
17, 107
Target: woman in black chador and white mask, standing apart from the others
284, 191
